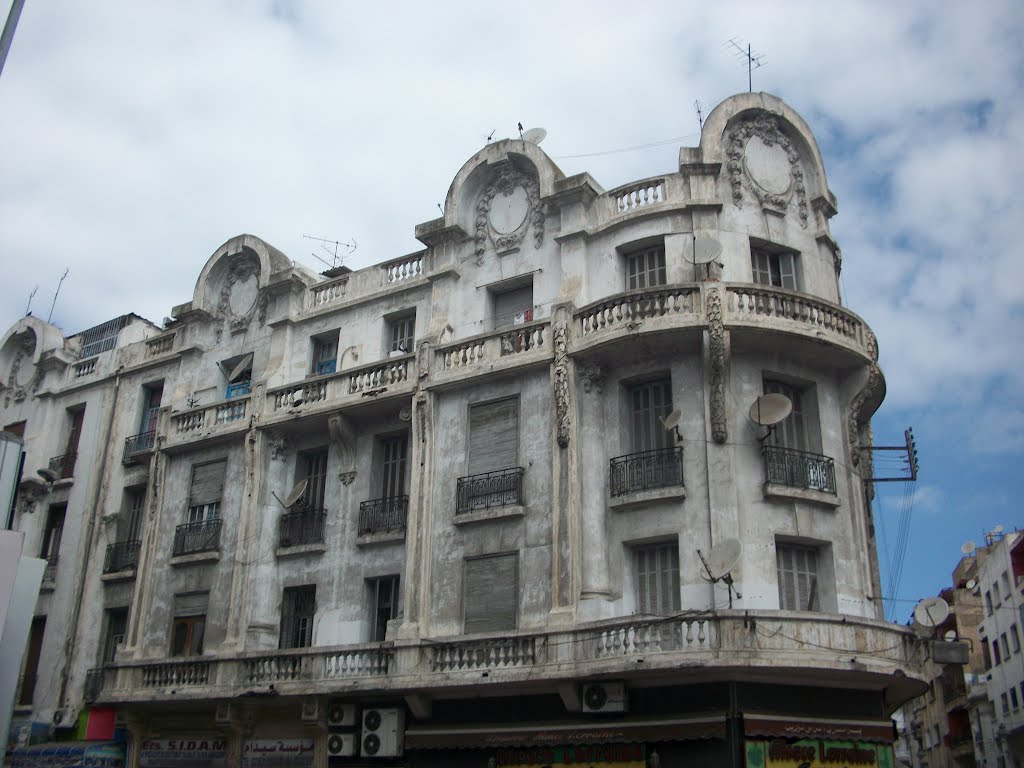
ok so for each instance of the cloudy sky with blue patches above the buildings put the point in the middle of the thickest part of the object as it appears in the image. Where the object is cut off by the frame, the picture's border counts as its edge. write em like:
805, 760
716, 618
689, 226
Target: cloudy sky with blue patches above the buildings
139, 137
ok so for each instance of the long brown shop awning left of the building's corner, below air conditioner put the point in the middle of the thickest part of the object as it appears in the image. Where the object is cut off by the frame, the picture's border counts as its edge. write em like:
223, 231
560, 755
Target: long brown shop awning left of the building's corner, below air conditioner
580, 733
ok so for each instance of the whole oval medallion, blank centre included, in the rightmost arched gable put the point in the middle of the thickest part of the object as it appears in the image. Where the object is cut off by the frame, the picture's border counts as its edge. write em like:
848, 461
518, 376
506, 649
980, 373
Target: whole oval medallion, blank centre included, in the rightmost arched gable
765, 158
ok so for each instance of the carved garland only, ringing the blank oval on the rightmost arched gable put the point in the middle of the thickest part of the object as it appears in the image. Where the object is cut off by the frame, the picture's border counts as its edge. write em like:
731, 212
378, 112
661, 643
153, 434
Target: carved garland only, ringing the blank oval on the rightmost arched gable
766, 129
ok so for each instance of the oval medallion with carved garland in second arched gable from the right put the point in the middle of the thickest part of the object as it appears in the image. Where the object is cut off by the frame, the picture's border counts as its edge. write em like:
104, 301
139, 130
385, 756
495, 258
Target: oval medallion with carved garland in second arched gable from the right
510, 204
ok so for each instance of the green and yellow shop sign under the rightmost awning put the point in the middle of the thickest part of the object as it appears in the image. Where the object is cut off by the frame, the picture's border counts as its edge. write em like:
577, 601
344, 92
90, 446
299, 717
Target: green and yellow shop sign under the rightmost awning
810, 753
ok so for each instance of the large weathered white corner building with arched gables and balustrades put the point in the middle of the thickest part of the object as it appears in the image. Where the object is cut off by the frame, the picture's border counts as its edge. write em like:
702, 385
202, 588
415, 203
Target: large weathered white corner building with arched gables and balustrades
491, 539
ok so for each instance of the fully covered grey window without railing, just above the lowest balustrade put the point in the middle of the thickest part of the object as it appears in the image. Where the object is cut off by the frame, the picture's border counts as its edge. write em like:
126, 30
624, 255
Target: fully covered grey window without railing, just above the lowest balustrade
491, 593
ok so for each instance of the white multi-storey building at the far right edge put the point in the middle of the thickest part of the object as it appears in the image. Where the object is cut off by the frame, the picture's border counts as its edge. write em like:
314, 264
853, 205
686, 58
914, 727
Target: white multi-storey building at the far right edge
1001, 583
